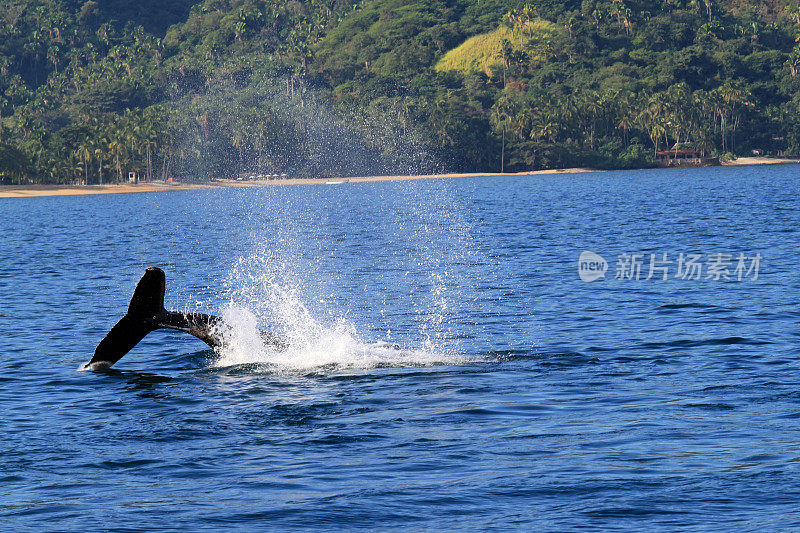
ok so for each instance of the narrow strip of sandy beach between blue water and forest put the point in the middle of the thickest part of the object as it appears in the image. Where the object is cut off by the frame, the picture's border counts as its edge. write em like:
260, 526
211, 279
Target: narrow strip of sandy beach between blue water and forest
34, 191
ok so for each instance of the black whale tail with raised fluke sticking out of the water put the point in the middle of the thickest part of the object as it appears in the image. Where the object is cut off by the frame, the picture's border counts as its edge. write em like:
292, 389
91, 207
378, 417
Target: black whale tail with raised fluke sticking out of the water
146, 313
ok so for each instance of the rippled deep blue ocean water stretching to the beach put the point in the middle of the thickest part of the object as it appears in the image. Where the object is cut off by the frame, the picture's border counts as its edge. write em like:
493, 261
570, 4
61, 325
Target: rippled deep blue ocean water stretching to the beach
449, 368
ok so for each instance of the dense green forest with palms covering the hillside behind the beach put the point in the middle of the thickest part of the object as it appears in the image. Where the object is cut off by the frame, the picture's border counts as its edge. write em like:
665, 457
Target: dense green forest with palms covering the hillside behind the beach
90, 90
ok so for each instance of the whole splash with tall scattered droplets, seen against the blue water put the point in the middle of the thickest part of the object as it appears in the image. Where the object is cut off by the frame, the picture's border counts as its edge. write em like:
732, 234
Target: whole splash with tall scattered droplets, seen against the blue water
407, 292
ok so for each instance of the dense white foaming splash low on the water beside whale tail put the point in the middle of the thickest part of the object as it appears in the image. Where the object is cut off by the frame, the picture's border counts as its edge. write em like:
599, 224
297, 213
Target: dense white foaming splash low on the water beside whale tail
264, 298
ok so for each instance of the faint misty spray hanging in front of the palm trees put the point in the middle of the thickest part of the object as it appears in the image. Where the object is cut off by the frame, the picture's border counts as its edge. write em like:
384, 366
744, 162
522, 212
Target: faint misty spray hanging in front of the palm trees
222, 130
